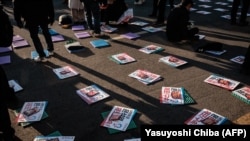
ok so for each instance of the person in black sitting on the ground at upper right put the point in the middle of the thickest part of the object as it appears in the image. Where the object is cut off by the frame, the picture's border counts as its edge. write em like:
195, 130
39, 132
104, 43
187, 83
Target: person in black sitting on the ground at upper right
177, 28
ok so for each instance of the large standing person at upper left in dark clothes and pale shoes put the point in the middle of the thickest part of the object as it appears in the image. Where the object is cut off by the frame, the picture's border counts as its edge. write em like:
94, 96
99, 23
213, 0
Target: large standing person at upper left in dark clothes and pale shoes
37, 14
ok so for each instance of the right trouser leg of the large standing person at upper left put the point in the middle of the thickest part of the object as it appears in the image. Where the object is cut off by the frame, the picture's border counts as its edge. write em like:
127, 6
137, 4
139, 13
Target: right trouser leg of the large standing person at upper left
47, 36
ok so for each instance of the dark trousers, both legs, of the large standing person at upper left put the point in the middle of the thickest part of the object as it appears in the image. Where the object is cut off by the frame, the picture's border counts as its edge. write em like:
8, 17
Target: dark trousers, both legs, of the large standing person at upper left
34, 29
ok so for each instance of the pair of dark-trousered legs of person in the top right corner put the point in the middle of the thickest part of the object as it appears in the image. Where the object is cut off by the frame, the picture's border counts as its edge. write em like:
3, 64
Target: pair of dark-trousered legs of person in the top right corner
243, 13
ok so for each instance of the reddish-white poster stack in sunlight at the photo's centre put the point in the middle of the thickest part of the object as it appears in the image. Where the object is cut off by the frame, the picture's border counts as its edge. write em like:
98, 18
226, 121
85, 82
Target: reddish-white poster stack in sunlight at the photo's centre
145, 76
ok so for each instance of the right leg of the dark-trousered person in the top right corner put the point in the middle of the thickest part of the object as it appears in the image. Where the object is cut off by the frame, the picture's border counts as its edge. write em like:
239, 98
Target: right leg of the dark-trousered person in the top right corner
244, 10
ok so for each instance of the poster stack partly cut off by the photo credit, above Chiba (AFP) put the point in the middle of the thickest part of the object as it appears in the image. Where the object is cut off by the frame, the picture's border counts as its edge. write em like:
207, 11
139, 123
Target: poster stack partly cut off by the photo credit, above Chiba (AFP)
206, 117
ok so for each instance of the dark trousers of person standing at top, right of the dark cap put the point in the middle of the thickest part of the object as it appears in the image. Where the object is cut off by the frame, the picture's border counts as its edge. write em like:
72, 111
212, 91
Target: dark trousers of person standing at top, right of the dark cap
92, 9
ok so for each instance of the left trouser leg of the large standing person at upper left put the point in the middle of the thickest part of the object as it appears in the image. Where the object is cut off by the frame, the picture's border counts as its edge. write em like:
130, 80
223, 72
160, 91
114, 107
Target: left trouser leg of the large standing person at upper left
33, 29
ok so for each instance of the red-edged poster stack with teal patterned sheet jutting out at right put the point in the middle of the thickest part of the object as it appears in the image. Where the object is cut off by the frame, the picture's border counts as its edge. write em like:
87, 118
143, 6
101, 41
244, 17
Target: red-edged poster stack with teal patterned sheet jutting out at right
175, 96
